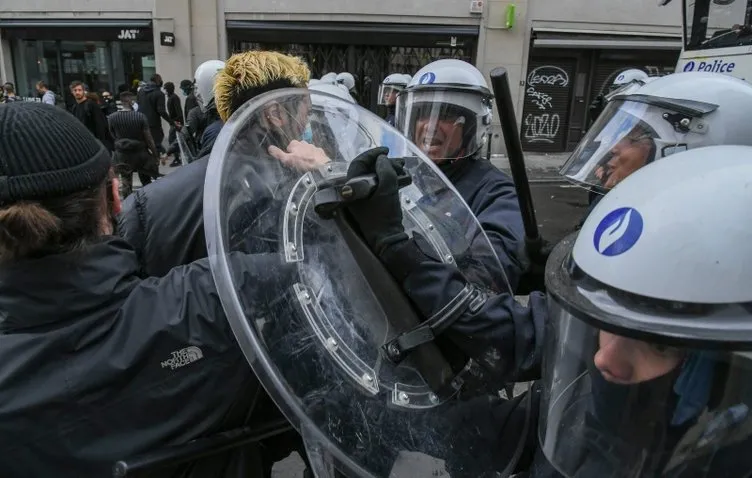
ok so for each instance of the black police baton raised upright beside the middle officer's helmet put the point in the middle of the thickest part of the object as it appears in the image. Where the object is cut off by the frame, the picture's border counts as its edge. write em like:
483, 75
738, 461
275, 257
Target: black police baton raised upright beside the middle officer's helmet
503, 96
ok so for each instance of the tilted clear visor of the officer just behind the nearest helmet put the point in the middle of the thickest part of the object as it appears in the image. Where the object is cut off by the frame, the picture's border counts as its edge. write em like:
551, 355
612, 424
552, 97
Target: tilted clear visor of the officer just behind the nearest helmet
627, 136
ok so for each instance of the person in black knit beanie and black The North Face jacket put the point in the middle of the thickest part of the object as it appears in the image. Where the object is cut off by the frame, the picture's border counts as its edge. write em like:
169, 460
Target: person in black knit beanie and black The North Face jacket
98, 364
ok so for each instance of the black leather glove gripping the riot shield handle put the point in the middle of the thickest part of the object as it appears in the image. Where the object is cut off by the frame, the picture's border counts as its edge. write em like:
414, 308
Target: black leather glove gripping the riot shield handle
379, 217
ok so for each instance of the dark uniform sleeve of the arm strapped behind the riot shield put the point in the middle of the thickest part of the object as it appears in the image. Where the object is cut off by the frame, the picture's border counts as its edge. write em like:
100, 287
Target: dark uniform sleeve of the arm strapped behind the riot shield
504, 337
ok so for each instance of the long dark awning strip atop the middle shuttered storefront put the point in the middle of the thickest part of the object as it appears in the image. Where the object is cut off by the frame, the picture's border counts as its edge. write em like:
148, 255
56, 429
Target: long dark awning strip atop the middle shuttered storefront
353, 33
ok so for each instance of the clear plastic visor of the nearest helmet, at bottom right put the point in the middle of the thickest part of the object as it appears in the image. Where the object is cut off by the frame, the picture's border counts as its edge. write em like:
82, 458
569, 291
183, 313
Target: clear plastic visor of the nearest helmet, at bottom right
620, 407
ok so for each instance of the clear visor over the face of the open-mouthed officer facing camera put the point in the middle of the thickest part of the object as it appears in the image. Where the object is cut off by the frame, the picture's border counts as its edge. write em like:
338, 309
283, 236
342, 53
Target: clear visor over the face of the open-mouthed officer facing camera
443, 124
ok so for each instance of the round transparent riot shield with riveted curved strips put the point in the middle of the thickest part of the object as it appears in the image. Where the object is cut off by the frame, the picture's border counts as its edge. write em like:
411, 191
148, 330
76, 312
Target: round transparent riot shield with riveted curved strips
316, 313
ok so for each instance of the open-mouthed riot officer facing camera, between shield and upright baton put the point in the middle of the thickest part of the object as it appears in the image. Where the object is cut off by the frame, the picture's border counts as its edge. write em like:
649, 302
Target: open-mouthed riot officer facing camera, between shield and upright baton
446, 111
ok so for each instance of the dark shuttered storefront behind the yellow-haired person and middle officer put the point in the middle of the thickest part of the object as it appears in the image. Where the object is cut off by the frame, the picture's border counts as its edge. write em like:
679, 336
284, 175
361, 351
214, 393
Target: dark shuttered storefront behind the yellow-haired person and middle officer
370, 51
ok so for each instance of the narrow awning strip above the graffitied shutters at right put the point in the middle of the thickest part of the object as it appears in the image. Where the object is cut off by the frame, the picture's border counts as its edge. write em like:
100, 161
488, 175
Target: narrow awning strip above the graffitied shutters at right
590, 40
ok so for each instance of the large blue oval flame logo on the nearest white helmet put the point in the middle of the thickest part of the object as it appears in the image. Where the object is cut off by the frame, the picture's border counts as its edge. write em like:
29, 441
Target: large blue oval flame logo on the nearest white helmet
618, 232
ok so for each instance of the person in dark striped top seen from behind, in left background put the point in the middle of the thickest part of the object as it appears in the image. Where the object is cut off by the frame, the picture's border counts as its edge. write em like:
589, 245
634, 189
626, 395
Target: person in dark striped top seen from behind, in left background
135, 151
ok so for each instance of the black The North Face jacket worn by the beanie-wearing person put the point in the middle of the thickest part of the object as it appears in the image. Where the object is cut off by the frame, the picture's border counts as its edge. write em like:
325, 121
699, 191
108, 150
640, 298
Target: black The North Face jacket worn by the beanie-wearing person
100, 364
